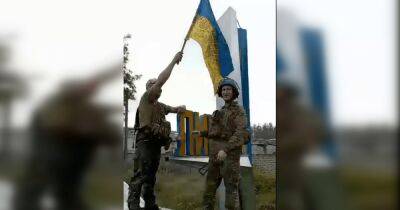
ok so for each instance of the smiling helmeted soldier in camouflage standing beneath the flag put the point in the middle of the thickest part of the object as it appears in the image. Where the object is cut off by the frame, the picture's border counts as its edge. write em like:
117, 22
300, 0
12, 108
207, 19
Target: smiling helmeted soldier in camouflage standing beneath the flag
227, 134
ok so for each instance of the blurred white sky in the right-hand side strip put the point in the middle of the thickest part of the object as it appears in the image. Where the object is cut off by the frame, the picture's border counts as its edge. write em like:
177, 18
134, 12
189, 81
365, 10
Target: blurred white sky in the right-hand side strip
360, 39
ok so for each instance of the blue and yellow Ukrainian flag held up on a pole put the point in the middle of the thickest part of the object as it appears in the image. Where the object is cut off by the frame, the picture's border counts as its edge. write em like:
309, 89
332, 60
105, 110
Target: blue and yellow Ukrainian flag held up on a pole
206, 32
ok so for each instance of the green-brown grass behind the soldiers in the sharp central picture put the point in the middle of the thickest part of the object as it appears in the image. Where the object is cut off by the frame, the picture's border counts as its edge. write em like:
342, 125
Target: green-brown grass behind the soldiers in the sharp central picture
183, 191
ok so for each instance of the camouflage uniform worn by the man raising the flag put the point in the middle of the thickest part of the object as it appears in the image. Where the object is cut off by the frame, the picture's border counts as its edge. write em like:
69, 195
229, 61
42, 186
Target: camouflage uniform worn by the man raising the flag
151, 118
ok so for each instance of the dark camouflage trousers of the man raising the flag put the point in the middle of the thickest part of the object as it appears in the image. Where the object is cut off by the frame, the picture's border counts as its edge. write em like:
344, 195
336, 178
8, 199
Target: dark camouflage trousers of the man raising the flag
144, 177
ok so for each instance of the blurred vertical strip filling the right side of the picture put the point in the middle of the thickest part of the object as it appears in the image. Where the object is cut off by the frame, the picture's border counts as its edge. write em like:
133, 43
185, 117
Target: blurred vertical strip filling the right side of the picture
347, 54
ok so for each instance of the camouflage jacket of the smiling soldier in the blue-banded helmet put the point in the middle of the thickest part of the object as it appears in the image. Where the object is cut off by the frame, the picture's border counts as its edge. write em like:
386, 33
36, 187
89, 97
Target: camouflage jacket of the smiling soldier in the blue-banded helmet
228, 129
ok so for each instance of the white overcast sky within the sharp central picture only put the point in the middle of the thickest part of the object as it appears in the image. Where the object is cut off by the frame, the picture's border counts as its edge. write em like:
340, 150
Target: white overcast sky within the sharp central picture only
160, 36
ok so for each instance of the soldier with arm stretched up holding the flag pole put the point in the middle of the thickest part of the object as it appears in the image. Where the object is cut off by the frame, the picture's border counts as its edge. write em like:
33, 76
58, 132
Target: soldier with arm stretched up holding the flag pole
153, 133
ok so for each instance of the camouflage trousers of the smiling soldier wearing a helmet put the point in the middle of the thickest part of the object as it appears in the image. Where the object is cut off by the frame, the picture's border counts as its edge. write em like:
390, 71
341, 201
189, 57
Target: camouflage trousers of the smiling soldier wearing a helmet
229, 171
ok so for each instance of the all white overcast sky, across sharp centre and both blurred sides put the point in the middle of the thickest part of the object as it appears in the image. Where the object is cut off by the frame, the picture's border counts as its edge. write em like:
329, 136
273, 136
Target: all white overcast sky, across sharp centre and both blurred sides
53, 40
